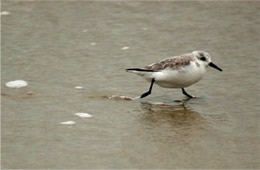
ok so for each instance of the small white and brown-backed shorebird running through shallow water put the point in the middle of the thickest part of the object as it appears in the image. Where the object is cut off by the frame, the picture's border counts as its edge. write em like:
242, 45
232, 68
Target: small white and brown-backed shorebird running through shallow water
176, 72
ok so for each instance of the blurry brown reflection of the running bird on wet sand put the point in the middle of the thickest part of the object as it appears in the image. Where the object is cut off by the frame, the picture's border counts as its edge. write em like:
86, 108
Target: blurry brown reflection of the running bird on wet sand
165, 121
